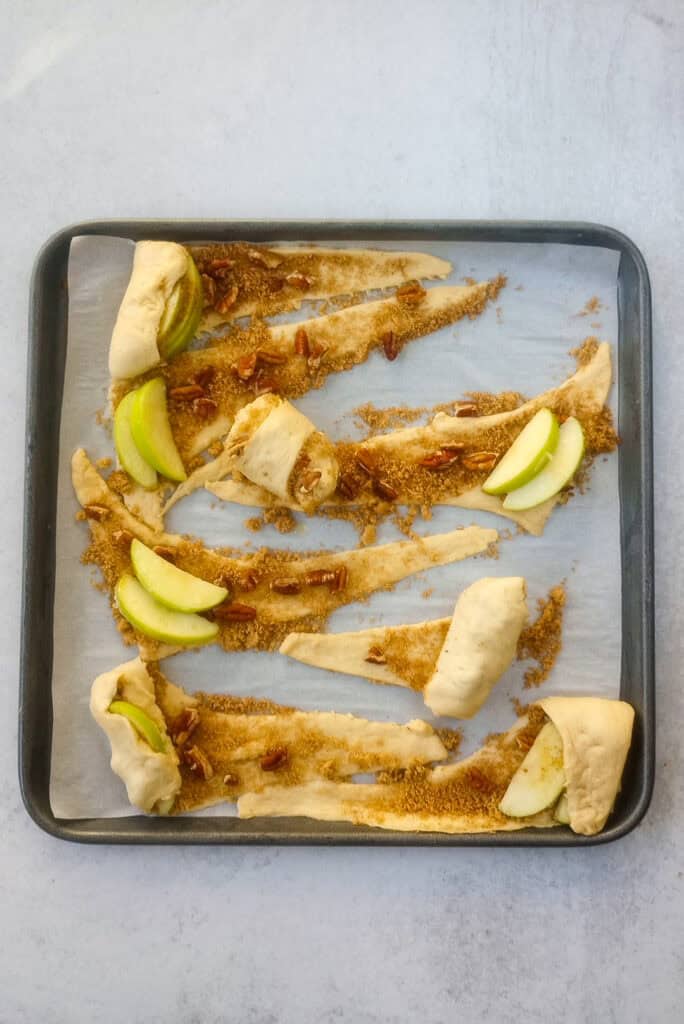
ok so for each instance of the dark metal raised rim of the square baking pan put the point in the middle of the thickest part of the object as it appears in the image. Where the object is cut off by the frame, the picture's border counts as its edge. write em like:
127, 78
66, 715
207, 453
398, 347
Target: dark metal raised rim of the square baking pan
138, 830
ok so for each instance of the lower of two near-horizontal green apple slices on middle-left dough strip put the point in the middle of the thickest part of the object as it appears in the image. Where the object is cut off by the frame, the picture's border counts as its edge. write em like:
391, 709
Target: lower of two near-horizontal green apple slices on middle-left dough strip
156, 621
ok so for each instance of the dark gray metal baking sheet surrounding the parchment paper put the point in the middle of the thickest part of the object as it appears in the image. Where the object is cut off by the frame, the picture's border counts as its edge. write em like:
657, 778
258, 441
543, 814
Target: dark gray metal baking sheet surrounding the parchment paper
48, 357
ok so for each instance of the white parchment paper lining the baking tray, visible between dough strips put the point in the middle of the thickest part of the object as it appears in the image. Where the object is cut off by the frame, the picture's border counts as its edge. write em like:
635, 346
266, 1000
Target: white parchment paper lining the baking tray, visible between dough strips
522, 345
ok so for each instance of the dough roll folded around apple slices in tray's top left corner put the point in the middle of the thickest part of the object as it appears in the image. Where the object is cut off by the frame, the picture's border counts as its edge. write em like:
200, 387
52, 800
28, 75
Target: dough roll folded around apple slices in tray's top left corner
160, 311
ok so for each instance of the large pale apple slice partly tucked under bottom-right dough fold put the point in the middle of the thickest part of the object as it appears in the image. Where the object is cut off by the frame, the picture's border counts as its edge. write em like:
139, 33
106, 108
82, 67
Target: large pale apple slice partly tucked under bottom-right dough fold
540, 780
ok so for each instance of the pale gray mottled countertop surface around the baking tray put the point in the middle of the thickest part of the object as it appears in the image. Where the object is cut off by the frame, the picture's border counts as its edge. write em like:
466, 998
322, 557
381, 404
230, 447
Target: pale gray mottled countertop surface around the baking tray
522, 110
